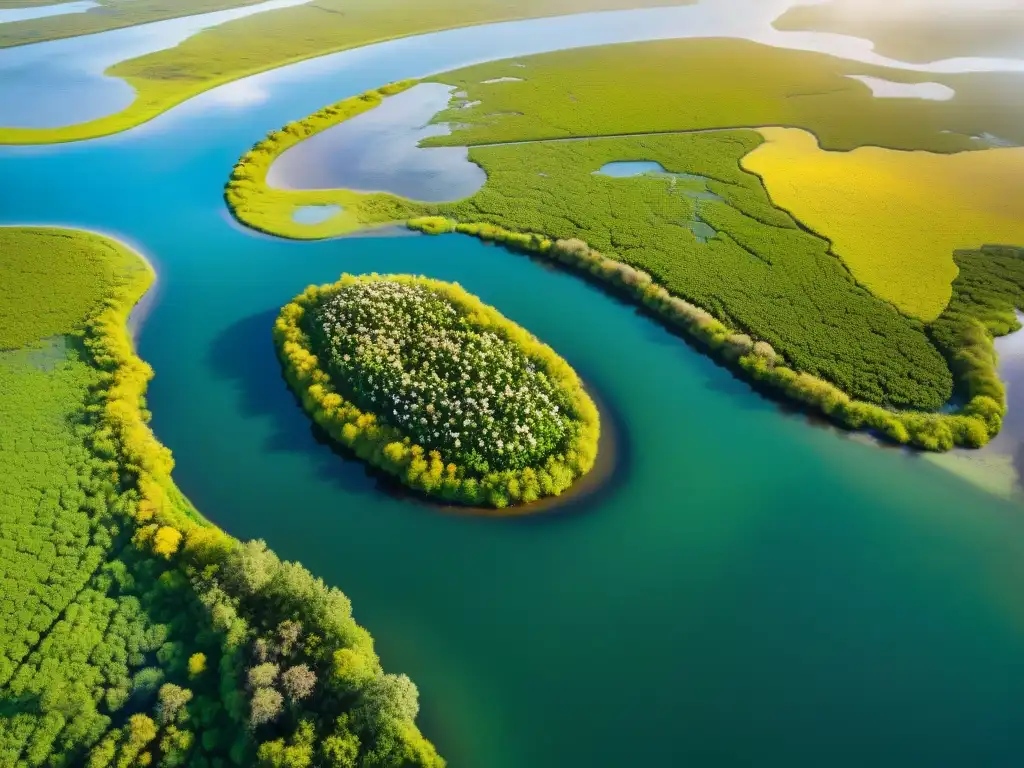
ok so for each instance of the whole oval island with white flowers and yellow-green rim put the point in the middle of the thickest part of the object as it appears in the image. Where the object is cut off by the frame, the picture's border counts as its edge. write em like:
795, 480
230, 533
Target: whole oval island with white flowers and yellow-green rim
424, 381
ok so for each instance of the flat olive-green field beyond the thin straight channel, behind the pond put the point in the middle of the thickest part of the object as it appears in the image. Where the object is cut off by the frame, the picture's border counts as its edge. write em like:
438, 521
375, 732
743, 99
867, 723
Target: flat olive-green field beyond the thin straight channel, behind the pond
699, 84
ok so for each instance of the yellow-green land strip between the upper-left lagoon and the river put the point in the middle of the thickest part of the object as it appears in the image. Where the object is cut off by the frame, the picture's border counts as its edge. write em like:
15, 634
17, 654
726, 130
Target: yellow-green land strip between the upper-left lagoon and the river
275, 38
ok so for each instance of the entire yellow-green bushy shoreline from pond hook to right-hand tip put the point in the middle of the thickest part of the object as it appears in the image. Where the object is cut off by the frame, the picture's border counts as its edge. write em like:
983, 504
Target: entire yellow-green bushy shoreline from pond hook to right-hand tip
254, 204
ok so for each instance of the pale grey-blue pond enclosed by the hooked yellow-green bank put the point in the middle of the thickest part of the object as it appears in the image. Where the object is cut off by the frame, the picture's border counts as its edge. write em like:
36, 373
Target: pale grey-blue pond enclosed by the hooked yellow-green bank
378, 152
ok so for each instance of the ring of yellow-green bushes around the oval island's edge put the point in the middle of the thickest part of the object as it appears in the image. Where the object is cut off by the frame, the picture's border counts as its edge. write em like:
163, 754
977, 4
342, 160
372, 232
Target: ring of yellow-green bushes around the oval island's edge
381, 445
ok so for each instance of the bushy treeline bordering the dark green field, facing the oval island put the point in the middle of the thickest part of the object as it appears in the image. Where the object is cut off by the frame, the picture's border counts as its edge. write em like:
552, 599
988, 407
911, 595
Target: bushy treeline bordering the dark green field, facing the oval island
976, 423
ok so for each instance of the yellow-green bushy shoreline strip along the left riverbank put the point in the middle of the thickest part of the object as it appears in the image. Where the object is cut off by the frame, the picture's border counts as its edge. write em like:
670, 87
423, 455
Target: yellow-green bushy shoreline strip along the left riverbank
161, 523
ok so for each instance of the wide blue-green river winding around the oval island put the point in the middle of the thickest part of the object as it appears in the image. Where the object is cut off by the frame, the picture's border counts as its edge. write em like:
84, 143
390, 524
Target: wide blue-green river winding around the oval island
748, 589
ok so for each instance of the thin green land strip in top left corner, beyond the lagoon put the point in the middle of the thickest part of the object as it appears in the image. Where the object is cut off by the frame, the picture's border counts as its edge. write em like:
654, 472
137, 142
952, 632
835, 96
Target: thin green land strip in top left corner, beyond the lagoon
110, 15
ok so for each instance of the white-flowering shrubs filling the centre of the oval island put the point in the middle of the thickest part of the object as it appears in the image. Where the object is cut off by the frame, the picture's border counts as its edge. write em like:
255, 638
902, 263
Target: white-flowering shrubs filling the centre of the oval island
407, 354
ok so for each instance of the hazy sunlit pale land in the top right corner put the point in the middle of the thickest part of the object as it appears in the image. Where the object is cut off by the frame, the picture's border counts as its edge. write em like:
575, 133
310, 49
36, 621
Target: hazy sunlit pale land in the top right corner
911, 32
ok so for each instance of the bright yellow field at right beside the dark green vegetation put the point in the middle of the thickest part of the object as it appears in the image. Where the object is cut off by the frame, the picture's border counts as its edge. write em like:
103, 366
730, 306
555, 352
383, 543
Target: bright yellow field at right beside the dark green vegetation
897, 218
